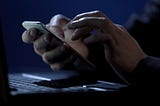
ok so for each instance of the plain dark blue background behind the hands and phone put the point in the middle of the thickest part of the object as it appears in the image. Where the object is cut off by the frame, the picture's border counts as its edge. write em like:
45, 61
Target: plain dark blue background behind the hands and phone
14, 12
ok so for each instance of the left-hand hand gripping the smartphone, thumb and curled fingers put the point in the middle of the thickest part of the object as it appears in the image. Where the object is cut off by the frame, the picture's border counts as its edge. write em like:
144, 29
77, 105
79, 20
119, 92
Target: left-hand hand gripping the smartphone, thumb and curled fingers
55, 54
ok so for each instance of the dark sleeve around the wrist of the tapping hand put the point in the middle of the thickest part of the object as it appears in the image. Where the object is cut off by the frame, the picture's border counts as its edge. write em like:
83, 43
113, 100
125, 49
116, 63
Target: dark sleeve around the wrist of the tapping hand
147, 73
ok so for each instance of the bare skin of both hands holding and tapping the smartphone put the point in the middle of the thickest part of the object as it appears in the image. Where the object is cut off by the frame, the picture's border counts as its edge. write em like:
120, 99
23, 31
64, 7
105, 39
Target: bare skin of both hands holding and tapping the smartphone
121, 50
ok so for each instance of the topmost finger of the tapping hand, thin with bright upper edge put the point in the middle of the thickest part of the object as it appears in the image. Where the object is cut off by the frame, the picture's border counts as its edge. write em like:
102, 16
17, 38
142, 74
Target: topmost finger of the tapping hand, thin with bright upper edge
89, 14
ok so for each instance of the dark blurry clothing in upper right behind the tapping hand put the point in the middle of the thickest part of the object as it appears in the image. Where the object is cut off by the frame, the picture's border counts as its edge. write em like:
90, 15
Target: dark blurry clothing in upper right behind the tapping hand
144, 26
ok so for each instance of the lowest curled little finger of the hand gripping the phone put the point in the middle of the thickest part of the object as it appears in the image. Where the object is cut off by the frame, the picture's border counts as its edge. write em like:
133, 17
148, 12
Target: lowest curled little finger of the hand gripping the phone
63, 64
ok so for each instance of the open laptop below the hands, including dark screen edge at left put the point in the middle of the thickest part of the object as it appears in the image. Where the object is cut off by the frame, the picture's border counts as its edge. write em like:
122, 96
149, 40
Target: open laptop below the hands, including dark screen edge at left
46, 86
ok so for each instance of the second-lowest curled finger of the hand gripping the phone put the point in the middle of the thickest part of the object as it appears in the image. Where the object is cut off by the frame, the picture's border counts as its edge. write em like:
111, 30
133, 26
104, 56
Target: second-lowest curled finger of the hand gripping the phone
56, 55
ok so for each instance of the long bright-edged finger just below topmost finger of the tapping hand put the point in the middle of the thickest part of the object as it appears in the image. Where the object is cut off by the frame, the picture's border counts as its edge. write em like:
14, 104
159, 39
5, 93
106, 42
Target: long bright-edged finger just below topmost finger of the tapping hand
98, 23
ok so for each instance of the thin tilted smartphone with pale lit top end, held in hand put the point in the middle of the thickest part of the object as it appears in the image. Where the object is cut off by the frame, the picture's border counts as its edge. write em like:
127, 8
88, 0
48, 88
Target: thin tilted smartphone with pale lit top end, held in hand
41, 27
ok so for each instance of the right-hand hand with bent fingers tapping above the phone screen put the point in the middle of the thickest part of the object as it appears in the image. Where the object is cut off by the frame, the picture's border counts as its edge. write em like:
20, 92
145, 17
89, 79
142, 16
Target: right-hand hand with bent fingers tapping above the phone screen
124, 51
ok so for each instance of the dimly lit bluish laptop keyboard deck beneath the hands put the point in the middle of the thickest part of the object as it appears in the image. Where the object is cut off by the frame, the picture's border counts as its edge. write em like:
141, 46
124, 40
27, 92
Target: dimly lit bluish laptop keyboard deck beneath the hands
29, 85
